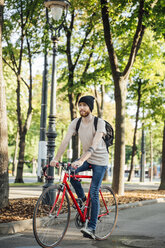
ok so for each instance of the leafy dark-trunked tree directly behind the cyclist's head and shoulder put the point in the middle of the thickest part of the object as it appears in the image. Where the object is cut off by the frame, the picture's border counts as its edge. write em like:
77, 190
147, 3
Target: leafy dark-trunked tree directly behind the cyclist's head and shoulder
79, 52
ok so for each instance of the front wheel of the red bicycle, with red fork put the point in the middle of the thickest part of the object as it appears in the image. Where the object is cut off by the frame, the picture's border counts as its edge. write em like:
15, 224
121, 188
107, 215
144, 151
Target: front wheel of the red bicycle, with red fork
51, 216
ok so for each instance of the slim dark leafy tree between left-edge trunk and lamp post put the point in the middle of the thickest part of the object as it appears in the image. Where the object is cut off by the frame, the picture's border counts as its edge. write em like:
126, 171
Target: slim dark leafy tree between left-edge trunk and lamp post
24, 22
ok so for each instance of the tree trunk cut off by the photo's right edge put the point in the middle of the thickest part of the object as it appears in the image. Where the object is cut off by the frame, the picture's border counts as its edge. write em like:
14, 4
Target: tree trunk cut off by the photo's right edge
162, 184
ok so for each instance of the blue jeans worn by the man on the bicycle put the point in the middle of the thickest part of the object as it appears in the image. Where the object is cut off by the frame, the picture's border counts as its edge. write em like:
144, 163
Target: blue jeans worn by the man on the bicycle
98, 174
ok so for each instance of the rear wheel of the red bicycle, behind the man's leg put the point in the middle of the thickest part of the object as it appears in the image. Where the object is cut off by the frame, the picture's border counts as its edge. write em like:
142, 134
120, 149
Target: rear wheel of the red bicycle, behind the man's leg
107, 217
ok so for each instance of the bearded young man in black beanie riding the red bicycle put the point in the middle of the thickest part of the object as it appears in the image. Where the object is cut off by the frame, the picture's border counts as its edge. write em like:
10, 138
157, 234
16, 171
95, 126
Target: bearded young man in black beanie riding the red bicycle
95, 156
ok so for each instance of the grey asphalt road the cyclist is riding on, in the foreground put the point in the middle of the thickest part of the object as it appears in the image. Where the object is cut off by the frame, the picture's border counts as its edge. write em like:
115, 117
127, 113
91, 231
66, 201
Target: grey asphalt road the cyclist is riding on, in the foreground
136, 227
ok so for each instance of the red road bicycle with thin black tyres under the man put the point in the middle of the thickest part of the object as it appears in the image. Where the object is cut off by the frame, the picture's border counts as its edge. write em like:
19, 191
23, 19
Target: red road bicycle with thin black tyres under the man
53, 209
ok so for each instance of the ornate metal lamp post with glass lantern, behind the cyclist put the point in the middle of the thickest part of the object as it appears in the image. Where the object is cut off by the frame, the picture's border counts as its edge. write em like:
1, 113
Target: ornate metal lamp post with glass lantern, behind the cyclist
56, 14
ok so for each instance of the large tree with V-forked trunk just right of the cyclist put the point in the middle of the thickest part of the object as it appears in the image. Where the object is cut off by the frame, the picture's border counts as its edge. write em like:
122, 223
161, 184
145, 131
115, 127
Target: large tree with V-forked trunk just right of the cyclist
123, 19
